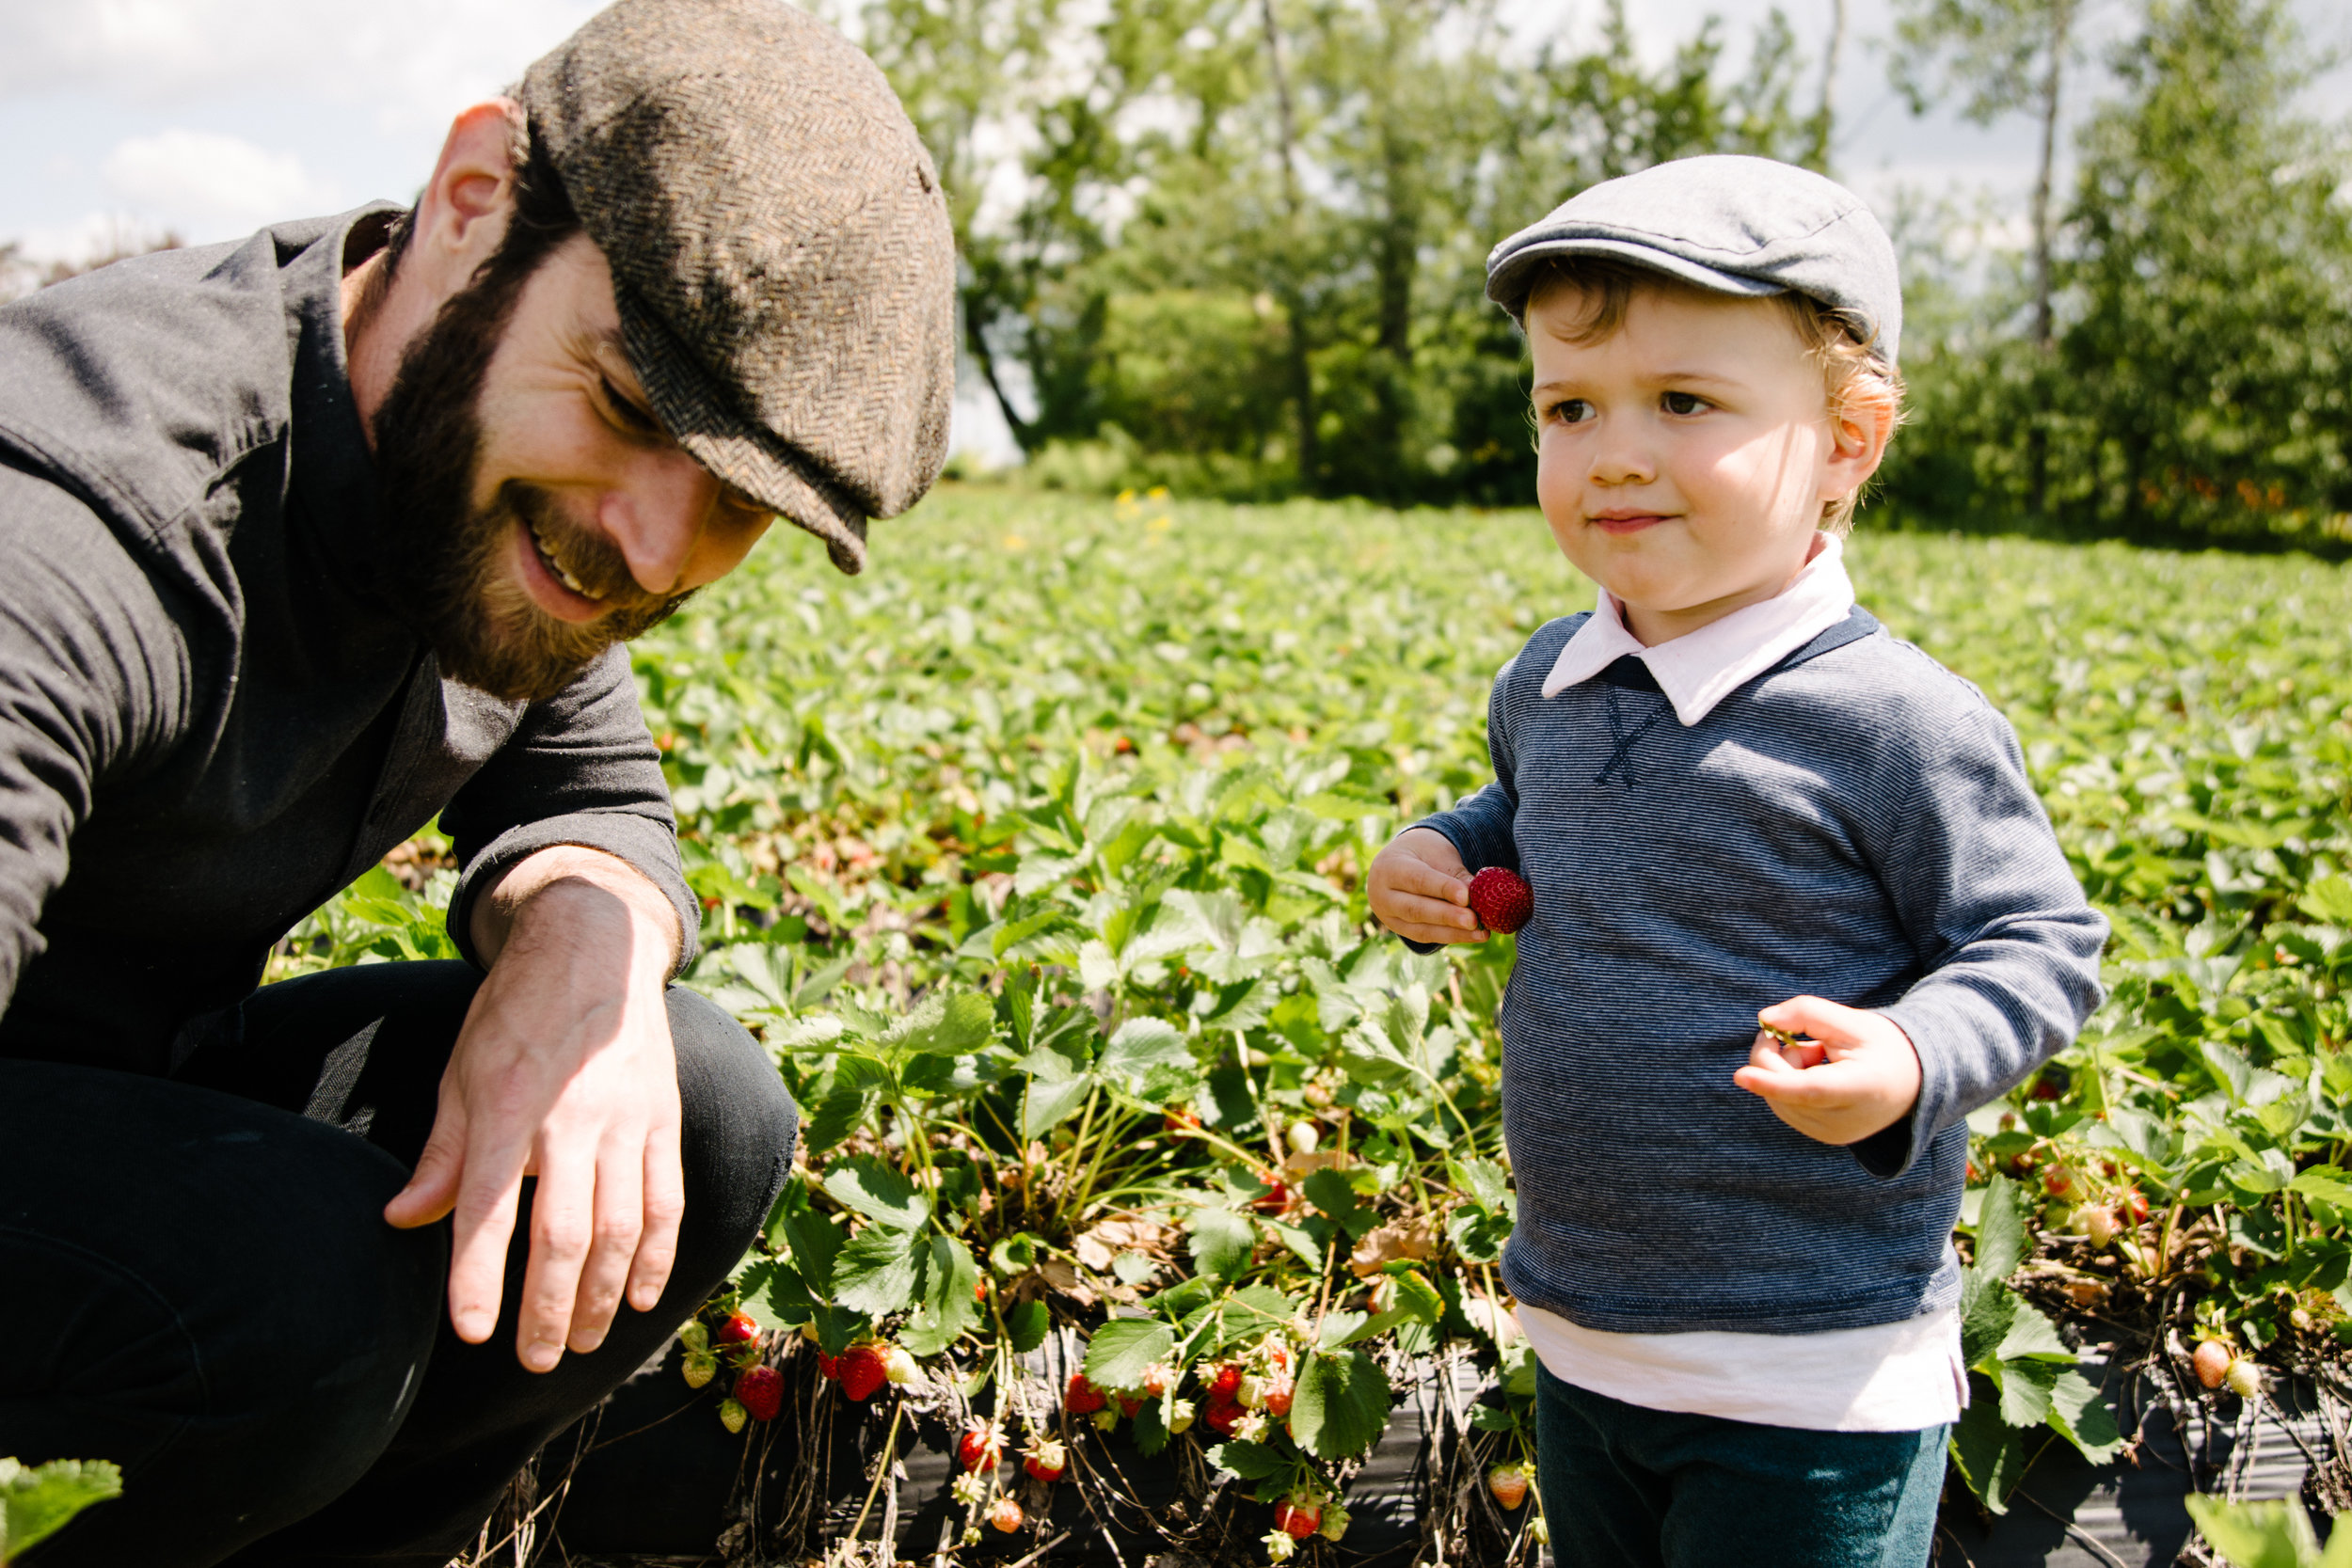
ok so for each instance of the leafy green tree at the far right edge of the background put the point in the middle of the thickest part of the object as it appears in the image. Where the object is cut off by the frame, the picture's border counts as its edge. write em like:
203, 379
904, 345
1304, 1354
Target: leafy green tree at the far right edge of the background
2207, 382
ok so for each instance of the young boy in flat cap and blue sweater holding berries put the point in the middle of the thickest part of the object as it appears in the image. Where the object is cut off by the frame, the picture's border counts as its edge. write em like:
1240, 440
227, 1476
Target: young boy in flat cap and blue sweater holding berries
1739, 800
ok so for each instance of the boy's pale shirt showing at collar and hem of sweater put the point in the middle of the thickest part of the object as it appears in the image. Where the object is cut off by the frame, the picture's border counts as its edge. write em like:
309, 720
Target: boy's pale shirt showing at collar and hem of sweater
1887, 1379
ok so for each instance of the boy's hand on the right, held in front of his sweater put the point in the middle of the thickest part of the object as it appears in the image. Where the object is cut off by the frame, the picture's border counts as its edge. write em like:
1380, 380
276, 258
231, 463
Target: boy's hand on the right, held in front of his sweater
1852, 1076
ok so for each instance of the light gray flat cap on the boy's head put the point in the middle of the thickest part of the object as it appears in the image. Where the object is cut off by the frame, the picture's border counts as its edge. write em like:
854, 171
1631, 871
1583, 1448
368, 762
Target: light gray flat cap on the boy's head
1728, 225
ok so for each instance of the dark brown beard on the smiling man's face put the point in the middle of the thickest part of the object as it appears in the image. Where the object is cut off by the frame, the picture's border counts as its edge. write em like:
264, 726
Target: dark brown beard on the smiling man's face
448, 563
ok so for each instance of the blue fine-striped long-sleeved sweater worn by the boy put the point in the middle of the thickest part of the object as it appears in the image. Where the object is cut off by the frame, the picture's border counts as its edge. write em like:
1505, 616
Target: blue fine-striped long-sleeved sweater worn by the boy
1855, 824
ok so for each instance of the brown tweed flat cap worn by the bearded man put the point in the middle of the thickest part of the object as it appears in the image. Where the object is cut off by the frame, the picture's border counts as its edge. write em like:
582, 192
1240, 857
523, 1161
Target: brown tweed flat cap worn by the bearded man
780, 250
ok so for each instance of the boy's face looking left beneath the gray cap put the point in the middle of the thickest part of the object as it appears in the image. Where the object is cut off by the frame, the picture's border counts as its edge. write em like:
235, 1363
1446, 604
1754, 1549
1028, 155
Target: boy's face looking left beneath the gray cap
1685, 457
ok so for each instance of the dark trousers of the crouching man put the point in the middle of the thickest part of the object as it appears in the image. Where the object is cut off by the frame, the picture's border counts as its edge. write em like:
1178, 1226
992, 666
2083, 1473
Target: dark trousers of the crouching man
196, 1280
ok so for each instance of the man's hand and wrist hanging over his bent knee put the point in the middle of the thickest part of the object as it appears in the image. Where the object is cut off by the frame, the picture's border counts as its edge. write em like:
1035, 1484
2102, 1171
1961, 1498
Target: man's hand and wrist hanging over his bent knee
566, 1073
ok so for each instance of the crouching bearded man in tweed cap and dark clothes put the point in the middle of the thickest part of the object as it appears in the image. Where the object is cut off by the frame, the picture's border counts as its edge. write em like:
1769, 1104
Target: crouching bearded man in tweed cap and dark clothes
309, 542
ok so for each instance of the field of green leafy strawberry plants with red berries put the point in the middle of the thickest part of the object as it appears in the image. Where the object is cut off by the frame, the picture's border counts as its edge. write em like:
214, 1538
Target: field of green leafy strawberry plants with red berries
1137, 1167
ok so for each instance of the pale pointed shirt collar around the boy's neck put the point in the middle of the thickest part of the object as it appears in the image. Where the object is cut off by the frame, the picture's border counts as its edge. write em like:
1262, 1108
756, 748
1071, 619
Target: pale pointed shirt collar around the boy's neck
1702, 669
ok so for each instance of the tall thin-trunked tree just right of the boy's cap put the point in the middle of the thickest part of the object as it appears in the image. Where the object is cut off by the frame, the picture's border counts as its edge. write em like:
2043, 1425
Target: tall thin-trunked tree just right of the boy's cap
2000, 58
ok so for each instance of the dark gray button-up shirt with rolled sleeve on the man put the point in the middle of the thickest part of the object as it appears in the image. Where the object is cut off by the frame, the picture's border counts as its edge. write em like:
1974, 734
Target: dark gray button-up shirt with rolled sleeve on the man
211, 718
